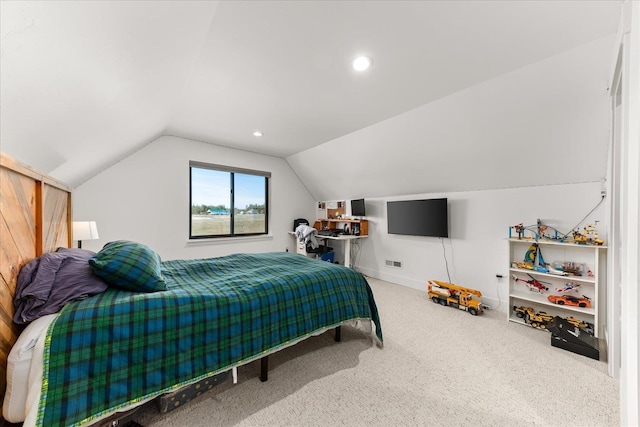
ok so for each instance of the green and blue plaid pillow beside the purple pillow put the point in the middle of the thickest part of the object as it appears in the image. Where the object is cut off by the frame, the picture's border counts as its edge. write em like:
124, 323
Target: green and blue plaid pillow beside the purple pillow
129, 265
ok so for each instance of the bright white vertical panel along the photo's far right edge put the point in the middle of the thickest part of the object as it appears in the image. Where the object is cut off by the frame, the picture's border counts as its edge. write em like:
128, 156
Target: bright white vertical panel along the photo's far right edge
628, 210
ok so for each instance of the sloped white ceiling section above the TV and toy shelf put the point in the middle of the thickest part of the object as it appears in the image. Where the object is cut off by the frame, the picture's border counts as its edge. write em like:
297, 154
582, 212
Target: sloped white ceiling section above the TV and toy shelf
546, 123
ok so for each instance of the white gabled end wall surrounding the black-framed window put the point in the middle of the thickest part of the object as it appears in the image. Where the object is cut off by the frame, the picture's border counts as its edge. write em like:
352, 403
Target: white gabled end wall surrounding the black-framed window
145, 198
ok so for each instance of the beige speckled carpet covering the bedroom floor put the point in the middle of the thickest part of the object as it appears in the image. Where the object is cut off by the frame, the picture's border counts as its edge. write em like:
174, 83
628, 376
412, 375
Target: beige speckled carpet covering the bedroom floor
439, 367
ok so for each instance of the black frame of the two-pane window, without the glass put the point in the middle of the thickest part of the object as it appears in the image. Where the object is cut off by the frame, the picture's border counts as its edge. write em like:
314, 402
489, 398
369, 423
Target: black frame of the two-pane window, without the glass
232, 171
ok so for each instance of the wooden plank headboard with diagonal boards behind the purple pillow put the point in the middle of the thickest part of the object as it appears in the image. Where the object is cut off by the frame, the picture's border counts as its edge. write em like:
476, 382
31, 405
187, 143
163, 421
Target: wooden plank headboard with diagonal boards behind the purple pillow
35, 217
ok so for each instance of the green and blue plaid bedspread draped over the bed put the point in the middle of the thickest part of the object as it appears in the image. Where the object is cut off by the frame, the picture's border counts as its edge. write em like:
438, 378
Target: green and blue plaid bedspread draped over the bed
118, 348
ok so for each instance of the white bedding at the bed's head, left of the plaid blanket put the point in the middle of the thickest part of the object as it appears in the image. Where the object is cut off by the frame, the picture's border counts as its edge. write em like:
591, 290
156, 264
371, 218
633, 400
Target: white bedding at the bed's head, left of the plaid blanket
18, 366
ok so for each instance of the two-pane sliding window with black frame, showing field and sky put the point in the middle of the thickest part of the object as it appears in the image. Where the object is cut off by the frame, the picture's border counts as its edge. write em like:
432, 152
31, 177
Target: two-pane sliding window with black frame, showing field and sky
227, 202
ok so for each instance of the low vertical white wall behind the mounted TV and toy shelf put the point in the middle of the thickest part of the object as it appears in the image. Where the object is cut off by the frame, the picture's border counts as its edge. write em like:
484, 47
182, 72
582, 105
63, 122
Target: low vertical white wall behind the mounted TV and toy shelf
479, 222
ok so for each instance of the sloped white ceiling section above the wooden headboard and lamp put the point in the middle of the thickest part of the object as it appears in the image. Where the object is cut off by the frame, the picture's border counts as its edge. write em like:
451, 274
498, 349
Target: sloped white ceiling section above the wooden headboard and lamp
86, 83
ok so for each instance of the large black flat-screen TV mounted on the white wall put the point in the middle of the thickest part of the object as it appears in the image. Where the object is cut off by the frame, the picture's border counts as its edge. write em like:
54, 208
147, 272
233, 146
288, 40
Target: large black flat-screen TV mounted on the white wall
418, 217
